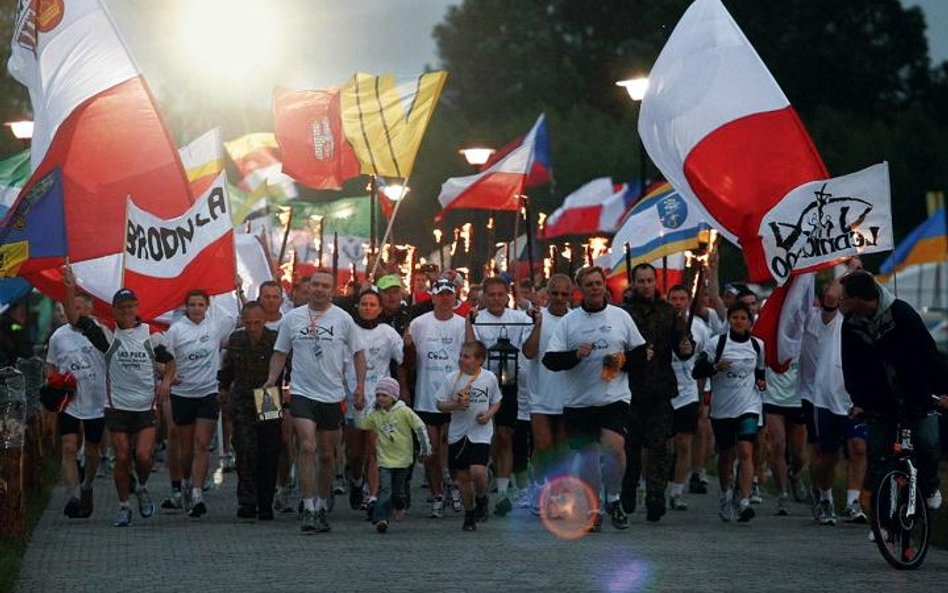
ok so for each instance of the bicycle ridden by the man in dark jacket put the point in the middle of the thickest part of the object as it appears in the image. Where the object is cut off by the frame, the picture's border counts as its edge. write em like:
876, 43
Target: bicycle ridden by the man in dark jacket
899, 517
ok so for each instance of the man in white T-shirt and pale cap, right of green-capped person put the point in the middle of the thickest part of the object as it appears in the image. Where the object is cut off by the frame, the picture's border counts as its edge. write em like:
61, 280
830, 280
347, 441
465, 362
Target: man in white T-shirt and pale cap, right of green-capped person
436, 338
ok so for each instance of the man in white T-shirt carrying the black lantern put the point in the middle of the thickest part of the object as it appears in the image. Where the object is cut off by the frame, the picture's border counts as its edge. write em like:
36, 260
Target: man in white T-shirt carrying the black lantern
488, 326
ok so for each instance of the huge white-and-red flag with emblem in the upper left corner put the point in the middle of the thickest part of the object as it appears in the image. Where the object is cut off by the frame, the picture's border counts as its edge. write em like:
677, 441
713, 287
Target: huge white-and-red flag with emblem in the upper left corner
94, 119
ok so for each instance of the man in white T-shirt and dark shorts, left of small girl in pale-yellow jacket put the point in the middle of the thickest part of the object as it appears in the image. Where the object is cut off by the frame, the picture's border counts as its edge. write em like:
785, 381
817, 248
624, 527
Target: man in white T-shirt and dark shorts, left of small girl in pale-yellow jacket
320, 335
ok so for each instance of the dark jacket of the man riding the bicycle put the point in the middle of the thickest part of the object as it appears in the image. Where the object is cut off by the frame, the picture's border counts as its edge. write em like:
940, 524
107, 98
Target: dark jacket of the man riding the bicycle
892, 357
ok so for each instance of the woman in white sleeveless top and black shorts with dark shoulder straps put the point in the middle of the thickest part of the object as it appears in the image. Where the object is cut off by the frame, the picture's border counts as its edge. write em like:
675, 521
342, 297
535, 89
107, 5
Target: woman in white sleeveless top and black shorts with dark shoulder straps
735, 363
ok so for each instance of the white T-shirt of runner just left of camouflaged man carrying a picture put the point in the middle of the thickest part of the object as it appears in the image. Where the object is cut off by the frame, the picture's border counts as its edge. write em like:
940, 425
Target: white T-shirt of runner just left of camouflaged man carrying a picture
196, 350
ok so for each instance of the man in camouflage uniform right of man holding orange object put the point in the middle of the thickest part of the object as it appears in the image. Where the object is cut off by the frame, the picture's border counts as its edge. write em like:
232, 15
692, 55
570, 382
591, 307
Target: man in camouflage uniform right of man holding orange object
653, 387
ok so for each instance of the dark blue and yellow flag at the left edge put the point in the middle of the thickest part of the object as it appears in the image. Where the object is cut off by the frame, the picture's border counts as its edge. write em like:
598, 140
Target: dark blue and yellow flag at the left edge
33, 233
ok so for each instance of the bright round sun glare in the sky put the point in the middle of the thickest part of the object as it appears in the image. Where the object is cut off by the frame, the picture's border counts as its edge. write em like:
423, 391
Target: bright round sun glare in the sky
232, 39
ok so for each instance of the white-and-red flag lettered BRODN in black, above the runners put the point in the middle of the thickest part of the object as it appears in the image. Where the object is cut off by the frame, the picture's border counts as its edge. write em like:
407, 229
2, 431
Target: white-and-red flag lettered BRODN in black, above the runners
166, 258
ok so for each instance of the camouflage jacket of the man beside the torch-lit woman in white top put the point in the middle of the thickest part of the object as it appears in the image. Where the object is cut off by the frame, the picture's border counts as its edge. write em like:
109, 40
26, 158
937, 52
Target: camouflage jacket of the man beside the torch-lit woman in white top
663, 329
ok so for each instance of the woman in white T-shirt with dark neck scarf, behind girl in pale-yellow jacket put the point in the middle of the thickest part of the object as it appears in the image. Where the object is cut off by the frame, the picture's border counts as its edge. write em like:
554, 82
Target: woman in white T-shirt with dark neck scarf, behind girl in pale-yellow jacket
383, 346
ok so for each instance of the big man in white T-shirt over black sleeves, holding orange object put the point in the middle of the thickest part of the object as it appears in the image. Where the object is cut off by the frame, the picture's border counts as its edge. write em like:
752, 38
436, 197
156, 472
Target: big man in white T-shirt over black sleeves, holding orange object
593, 347
